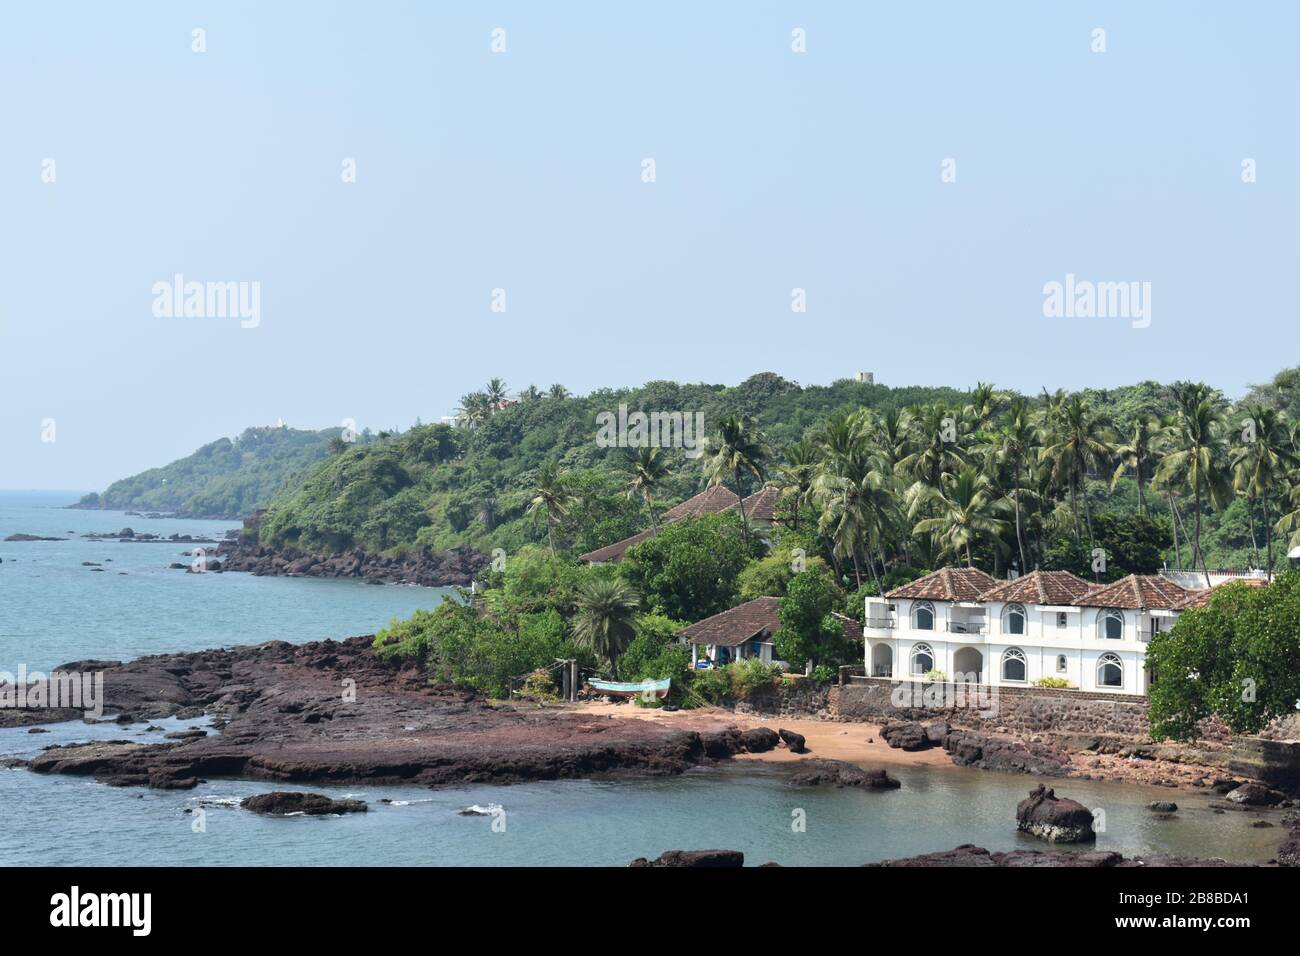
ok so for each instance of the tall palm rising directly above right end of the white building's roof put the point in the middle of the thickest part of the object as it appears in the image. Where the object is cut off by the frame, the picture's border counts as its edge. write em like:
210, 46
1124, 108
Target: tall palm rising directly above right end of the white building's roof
1197, 457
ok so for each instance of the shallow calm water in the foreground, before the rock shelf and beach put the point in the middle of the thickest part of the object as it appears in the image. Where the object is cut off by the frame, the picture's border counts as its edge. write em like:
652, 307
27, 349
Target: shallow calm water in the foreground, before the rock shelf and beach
743, 806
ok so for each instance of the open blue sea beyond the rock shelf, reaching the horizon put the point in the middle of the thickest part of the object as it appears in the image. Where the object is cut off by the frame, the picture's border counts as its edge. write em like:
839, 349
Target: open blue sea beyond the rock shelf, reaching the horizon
54, 611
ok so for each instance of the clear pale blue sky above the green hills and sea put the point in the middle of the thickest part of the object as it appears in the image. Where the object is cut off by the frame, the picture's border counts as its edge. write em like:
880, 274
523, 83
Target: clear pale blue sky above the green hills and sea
525, 171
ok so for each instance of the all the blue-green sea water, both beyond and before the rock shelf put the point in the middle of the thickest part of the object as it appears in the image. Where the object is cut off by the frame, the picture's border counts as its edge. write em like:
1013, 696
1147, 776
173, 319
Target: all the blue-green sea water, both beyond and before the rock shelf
53, 611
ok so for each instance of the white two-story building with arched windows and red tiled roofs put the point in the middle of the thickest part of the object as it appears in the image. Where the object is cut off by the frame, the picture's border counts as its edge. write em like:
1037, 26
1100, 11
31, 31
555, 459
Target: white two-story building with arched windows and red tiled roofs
970, 628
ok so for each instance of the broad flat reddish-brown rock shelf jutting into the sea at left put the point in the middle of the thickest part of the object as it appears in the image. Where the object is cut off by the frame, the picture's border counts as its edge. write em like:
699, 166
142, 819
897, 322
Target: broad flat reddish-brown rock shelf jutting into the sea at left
333, 712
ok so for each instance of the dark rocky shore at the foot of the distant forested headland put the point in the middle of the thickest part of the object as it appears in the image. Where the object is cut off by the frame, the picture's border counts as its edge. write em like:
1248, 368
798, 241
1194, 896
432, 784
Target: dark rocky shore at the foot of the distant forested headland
454, 568
